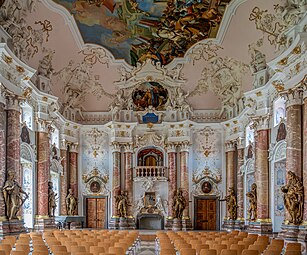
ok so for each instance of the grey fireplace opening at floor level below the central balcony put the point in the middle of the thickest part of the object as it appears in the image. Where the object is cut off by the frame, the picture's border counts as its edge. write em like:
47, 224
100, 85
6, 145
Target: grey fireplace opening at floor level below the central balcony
150, 221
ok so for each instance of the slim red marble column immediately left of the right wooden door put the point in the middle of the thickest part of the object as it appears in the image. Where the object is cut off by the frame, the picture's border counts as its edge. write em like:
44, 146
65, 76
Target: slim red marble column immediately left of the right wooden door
184, 176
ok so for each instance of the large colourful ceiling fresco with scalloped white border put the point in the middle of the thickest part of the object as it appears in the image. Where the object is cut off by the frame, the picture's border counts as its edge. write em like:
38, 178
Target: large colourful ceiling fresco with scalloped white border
136, 30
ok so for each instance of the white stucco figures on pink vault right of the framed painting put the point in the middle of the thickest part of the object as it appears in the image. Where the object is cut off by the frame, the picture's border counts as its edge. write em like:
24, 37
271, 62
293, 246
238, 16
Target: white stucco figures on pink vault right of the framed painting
223, 76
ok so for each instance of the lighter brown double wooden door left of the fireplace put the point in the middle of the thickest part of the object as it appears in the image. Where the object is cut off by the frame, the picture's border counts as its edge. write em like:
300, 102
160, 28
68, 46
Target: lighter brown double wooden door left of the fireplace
96, 212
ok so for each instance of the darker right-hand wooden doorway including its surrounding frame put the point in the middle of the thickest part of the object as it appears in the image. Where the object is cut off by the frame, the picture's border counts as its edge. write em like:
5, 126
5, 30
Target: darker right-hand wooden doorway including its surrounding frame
206, 213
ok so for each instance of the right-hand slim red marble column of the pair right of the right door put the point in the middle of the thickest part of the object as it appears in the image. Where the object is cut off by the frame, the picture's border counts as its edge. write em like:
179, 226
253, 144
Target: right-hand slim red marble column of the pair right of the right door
240, 183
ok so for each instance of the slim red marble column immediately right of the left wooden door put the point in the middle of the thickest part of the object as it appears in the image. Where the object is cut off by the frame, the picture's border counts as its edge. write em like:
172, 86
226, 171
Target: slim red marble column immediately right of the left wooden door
116, 176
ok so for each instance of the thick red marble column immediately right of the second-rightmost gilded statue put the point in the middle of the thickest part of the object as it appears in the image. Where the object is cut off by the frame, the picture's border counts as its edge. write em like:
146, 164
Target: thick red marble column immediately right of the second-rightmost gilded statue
262, 173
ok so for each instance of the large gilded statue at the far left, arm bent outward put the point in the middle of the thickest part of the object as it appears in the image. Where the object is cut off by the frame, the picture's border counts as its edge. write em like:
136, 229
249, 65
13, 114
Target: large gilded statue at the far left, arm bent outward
13, 198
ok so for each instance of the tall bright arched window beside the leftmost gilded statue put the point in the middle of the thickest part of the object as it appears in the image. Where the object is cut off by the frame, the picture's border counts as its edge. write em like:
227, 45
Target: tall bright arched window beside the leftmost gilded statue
27, 160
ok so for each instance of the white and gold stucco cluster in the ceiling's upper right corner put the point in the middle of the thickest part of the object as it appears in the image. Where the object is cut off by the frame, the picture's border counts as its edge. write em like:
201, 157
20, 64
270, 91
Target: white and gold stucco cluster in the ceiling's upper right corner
276, 25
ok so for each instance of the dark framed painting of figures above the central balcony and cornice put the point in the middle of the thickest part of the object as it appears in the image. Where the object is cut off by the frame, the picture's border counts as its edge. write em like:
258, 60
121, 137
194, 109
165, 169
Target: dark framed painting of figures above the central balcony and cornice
150, 94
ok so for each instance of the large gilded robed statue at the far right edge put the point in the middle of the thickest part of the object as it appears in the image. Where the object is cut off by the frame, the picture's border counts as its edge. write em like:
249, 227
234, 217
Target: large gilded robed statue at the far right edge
293, 198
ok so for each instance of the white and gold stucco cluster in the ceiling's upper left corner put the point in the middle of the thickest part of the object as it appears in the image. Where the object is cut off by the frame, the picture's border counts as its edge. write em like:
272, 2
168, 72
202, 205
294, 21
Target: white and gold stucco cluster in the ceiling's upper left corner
26, 39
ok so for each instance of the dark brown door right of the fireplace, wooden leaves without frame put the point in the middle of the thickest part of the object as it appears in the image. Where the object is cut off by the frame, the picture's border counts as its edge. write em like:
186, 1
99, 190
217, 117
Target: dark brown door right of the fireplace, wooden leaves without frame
205, 214
